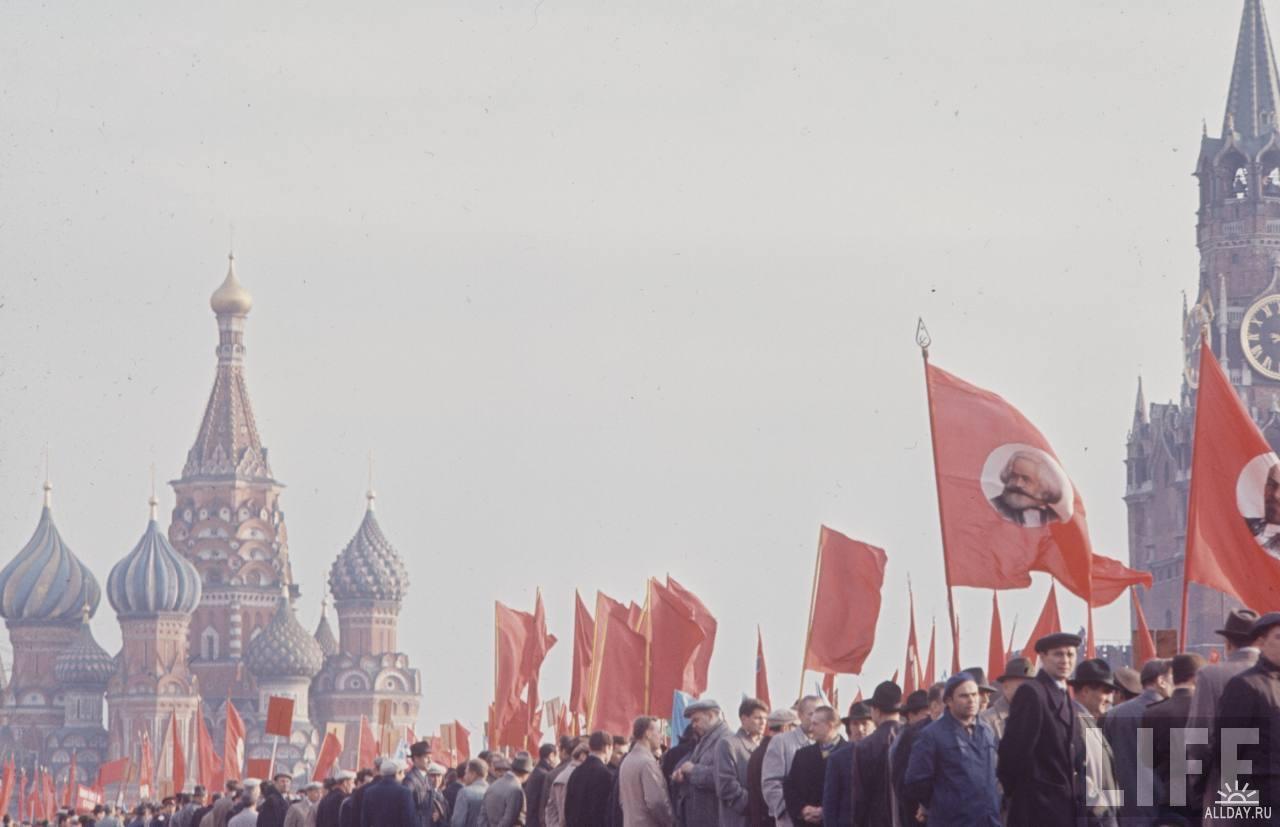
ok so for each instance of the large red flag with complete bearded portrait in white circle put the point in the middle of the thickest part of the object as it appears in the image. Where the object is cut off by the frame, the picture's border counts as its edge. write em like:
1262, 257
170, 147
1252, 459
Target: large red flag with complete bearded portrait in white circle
1008, 508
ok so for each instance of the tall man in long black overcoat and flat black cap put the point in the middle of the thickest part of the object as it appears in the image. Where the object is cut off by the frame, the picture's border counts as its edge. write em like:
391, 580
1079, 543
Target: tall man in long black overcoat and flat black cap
1039, 759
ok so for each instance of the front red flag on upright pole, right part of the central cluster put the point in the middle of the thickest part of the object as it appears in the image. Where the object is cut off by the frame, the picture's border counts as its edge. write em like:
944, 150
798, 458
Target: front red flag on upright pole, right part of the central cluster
674, 643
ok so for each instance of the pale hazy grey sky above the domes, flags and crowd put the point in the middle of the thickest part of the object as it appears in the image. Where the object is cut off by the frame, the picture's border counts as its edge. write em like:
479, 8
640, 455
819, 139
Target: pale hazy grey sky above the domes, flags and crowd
610, 290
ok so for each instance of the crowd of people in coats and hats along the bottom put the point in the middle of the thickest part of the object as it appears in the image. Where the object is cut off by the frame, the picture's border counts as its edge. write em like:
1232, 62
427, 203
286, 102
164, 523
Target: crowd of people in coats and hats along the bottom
1066, 744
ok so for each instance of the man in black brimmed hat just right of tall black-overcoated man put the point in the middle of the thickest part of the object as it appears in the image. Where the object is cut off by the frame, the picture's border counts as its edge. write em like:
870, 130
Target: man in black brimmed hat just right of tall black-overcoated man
1095, 688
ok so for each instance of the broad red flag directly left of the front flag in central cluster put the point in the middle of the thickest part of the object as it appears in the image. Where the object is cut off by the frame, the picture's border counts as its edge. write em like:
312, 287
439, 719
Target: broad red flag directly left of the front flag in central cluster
618, 697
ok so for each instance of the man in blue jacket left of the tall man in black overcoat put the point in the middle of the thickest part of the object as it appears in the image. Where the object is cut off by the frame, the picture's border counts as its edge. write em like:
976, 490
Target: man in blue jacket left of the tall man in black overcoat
952, 774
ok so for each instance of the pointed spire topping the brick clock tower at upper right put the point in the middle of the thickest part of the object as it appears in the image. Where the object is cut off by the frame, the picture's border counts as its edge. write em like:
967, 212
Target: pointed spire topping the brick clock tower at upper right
1255, 95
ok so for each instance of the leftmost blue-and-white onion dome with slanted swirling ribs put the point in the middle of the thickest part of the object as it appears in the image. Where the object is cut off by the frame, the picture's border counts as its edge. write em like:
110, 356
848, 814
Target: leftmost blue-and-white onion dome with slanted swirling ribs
45, 582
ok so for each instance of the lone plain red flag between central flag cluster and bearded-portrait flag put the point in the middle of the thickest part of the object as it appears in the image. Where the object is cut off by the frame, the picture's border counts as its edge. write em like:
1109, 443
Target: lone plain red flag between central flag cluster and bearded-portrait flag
845, 605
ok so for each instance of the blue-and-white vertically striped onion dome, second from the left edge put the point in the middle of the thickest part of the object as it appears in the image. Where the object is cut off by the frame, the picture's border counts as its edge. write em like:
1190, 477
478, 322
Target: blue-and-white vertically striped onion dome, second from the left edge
153, 578
